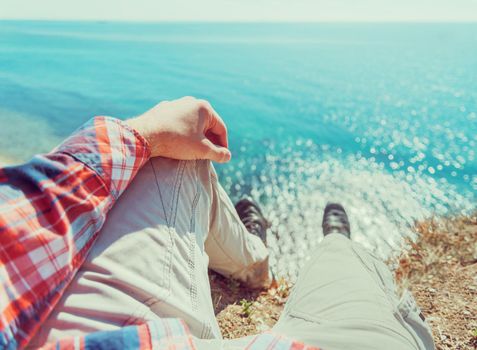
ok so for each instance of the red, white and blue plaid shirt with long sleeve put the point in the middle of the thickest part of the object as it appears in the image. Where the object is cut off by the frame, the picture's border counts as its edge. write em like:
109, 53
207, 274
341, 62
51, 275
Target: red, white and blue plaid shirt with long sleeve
51, 210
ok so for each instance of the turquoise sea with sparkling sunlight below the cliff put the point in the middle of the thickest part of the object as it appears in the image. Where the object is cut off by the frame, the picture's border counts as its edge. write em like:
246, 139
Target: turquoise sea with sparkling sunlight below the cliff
382, 117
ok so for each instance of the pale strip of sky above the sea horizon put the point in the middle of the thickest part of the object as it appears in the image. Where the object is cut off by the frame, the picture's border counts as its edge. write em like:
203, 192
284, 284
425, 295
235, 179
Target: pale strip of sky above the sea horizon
242, 10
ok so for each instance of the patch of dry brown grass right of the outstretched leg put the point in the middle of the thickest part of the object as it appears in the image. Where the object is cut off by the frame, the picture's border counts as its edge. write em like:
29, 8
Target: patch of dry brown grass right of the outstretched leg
441, 271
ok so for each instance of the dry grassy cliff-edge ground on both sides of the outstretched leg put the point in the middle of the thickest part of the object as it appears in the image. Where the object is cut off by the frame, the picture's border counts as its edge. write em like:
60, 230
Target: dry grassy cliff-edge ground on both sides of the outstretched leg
440, 269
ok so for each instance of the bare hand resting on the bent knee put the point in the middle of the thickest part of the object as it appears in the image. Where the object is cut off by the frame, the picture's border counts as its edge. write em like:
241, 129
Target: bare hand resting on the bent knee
185, 129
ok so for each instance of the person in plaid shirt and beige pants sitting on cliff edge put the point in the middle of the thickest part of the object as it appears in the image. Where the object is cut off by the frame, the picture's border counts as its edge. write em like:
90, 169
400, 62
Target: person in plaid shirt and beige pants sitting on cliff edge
90, 258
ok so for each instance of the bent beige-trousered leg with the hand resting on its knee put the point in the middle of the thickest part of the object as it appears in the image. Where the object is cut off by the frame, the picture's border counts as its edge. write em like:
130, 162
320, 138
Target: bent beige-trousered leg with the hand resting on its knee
151, 257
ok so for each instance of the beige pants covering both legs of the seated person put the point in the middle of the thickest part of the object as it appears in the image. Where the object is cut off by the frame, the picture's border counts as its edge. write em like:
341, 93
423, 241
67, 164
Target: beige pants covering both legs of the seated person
175, 221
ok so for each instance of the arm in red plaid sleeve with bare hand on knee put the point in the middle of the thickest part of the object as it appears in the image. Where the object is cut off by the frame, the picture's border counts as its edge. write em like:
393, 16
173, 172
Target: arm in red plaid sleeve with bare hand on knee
52, 207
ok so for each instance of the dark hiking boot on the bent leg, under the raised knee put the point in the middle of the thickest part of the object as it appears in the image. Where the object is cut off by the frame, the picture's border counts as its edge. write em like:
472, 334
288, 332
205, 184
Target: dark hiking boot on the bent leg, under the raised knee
252, 217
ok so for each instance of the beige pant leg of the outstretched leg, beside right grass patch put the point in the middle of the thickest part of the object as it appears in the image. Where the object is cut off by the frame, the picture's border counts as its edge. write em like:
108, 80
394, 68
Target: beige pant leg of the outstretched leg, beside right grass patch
345, 299
